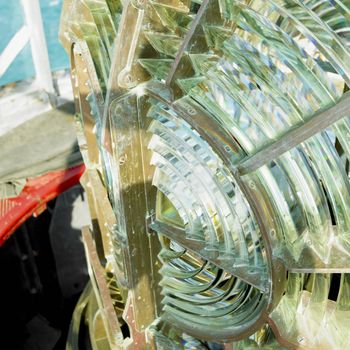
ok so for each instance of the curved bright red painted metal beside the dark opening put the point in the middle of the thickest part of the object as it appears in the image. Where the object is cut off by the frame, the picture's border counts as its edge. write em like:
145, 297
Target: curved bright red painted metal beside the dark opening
32, 200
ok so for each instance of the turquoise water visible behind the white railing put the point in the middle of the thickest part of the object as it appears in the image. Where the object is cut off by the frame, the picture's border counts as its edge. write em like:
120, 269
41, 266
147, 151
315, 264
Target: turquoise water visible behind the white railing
11, 20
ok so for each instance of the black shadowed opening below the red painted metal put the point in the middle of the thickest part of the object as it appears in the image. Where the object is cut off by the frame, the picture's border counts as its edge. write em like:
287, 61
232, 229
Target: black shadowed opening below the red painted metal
43, 272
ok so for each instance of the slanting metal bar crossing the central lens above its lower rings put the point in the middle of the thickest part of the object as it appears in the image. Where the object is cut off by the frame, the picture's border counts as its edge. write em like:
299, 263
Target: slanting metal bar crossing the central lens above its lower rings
249, 274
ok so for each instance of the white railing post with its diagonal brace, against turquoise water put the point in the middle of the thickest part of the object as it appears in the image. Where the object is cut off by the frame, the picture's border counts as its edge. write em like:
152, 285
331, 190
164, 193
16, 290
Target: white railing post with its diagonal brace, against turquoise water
32, 31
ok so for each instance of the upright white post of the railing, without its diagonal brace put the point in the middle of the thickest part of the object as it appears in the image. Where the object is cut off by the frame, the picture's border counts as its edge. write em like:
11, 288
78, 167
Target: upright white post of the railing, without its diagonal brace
40, 53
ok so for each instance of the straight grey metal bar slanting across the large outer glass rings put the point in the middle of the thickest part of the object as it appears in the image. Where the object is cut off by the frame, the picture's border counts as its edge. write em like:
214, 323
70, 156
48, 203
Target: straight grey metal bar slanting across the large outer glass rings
297, 135
